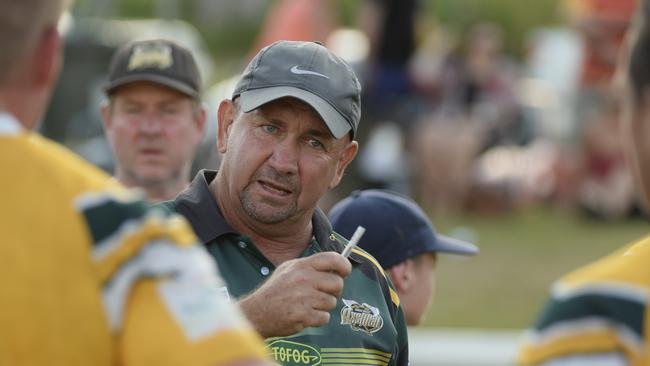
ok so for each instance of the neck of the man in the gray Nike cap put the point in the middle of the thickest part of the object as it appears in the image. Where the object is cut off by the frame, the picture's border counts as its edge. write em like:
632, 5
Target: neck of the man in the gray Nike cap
278, 242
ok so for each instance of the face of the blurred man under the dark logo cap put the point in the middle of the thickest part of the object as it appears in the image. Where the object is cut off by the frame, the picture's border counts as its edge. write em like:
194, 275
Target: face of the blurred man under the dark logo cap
154, 132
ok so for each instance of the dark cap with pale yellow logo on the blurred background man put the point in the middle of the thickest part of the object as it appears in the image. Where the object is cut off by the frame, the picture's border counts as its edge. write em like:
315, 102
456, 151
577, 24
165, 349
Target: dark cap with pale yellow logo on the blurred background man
159, 61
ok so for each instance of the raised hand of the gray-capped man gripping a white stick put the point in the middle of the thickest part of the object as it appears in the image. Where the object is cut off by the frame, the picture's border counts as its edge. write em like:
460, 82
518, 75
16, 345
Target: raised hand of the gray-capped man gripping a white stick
299, 294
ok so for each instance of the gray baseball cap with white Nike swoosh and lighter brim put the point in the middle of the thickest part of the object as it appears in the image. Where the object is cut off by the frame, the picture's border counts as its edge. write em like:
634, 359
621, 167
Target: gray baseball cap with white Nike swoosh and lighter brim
307, 71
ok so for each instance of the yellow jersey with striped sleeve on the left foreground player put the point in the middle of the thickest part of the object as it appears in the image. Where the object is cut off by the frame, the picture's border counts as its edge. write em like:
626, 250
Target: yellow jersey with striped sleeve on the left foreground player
89, 275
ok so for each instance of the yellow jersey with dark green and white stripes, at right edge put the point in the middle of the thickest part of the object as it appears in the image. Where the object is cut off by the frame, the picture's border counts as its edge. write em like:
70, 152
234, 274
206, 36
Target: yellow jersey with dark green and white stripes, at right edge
598, 314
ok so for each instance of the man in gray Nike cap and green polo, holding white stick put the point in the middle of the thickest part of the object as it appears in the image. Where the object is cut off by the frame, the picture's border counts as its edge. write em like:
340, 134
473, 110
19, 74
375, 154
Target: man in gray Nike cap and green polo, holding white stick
286, 137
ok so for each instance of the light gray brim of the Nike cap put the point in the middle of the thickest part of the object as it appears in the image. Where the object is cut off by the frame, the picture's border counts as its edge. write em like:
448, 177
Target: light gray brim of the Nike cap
253, 99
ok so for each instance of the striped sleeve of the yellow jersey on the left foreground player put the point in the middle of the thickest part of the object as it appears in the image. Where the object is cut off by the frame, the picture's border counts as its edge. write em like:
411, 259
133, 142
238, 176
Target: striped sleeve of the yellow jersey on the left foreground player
162, 295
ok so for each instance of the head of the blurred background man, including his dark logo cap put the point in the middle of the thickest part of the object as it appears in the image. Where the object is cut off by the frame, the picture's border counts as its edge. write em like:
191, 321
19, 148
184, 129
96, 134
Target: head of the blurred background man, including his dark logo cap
153, 118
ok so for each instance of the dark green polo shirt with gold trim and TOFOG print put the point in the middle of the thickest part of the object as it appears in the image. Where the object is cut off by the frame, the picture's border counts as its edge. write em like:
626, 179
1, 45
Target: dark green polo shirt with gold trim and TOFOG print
367, 327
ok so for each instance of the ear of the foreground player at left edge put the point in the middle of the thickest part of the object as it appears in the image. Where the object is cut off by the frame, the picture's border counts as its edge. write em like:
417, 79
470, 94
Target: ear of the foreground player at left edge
47, 60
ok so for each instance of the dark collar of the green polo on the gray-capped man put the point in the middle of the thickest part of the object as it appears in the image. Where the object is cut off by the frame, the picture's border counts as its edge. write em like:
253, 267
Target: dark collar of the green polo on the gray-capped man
200, 208
